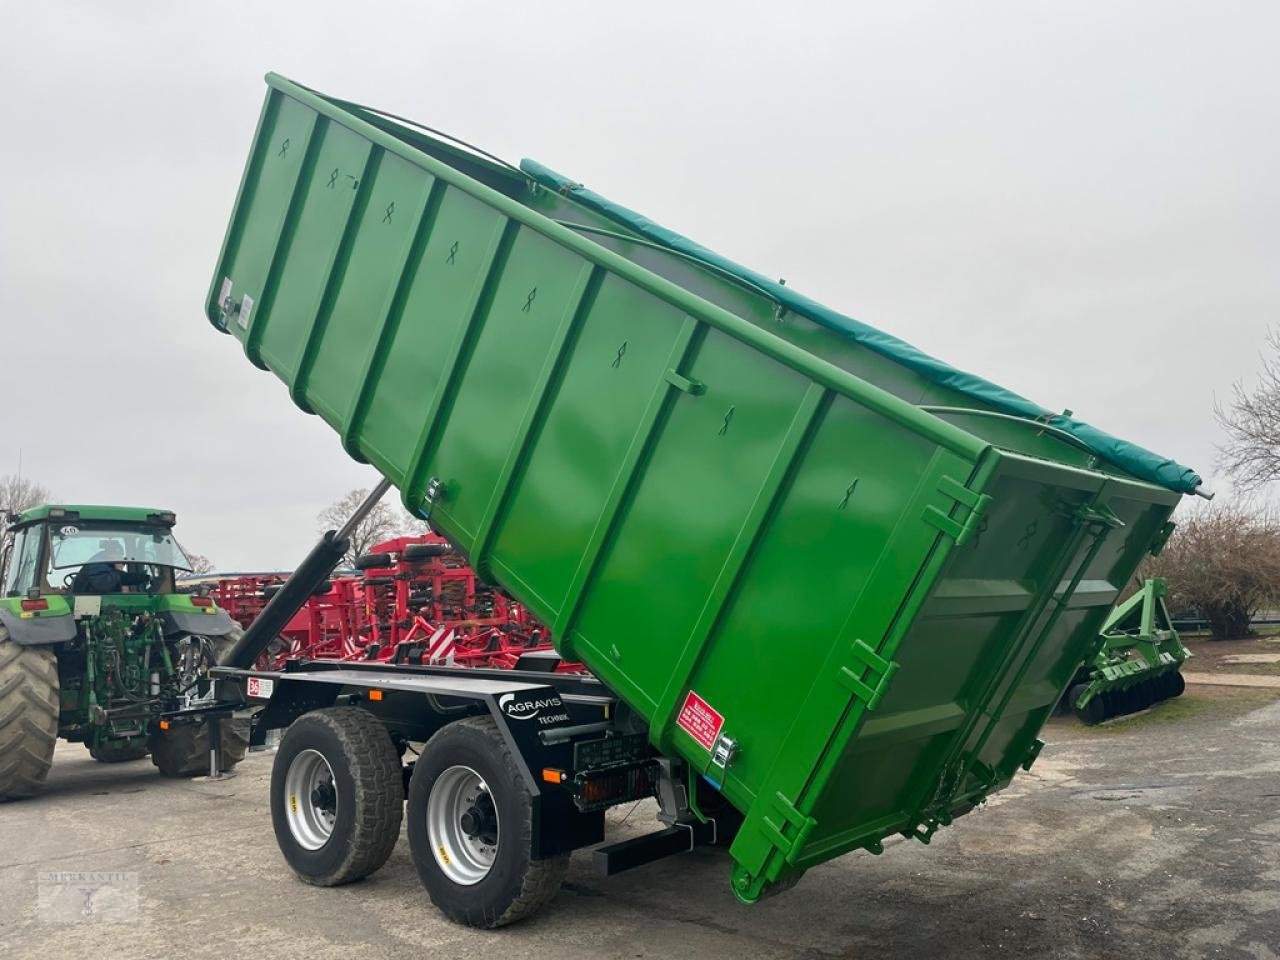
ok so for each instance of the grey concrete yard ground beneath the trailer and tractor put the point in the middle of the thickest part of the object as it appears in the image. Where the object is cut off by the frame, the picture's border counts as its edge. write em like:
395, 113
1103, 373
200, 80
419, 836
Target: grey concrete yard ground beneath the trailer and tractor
1153, 836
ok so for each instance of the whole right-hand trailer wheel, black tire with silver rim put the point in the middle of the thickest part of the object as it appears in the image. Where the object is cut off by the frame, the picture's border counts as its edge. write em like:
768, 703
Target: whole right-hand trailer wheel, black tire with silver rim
470, 829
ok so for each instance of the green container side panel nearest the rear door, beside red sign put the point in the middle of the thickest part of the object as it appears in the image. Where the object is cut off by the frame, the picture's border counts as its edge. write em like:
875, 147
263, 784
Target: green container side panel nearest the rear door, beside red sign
806, 577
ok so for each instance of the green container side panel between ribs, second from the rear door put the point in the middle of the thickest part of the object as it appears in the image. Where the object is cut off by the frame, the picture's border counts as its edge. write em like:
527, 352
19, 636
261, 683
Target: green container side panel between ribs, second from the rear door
687, 513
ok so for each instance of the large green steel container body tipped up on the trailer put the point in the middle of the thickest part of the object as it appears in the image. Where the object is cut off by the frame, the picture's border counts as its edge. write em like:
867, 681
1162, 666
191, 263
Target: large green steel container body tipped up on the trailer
747, 527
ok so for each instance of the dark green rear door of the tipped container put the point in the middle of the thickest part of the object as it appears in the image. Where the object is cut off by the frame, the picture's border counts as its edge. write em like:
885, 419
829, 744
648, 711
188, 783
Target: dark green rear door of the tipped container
980, 669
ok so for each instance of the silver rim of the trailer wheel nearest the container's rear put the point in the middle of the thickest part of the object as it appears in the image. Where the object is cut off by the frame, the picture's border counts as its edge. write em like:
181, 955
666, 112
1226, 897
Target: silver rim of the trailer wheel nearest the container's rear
463, 825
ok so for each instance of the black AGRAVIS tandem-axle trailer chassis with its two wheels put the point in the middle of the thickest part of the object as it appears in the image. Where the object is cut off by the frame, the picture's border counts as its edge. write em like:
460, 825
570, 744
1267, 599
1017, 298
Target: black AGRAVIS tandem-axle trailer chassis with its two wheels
469, 749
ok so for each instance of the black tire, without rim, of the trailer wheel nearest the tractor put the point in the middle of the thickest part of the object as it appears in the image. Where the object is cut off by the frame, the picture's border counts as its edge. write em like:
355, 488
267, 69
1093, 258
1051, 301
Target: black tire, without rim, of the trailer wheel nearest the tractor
368, 787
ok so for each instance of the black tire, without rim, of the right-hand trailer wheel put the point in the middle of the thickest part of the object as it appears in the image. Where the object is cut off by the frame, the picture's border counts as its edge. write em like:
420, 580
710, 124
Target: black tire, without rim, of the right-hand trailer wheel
516, 886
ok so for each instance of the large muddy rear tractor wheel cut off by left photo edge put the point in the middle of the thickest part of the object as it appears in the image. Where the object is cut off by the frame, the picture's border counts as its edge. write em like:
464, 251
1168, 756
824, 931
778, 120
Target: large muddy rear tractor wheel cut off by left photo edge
29, 716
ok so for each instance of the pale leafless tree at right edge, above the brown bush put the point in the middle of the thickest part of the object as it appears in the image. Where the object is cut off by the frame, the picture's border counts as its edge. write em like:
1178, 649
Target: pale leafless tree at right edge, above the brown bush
1252, 424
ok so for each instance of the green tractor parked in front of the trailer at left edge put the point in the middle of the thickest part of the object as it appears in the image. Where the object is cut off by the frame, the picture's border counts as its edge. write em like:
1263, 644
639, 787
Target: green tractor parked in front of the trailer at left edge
98, 647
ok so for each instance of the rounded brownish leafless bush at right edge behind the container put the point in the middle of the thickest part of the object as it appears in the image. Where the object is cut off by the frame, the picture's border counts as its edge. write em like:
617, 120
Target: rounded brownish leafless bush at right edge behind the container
1223, 561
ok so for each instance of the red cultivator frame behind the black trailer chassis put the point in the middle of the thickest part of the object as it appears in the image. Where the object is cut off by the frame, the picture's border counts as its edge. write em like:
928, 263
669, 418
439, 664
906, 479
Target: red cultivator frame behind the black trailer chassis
414, 600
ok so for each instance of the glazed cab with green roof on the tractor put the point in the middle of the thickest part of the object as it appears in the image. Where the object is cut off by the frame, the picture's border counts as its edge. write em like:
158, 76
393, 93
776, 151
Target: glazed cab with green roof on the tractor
90, 551
